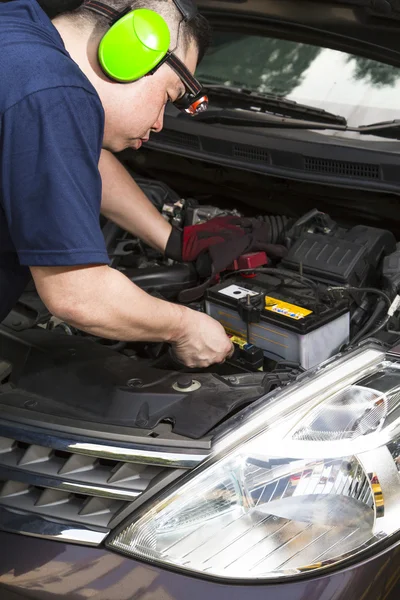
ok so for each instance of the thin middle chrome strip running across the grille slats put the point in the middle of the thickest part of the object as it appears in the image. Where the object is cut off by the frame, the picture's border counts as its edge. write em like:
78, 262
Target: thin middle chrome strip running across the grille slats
31, 478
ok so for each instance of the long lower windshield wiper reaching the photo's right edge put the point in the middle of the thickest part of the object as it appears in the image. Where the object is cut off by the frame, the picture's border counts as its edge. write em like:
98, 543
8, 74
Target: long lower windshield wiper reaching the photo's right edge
245, 118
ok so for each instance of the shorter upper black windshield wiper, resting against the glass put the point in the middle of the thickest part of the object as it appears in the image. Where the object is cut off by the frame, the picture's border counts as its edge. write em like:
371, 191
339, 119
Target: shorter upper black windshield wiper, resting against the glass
232, 97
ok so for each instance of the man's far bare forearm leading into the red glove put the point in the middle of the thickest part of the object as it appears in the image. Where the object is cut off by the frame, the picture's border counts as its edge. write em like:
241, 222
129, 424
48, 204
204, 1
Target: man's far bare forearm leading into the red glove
124, 203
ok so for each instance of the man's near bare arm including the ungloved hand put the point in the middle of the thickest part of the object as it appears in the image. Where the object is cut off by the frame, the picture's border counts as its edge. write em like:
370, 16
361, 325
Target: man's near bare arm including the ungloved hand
105, 303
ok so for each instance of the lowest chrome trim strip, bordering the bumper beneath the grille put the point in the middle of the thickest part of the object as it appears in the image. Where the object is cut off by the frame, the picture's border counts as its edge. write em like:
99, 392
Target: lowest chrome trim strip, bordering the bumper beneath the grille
37, 526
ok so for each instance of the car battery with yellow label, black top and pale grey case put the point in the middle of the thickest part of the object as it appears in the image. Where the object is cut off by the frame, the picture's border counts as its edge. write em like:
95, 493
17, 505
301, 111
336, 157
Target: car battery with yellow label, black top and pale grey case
292, 324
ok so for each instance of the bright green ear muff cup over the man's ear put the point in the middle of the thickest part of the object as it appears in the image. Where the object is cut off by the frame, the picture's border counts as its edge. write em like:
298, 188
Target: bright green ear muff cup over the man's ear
134, 45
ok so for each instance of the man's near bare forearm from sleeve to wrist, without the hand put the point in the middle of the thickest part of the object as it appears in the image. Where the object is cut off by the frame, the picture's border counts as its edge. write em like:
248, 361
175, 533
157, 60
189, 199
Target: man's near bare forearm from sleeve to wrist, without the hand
105, 303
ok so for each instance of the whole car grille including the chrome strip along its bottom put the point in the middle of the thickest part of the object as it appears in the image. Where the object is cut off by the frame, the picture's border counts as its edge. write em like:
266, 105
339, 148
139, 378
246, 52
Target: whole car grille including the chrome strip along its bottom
48, 492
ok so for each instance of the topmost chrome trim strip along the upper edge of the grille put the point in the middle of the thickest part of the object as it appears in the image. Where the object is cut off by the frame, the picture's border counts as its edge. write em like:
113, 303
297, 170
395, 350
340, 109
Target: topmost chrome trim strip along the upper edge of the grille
134, 453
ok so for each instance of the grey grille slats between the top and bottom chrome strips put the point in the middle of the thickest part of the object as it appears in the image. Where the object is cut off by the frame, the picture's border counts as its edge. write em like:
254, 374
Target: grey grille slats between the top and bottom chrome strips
74, 486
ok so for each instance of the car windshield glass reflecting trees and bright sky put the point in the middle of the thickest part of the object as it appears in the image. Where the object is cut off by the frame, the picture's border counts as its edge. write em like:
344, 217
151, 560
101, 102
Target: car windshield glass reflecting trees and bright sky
361, 90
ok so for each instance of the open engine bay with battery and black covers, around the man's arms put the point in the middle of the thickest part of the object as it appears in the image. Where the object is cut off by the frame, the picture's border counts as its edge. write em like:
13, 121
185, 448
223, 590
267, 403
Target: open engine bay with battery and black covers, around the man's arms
336, 287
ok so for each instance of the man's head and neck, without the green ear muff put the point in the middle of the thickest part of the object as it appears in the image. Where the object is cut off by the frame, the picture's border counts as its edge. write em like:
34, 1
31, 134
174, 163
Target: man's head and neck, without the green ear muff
135, 109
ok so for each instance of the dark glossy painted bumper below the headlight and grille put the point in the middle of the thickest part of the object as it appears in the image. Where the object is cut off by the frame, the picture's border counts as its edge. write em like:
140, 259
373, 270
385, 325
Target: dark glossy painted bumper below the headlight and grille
45, 570
